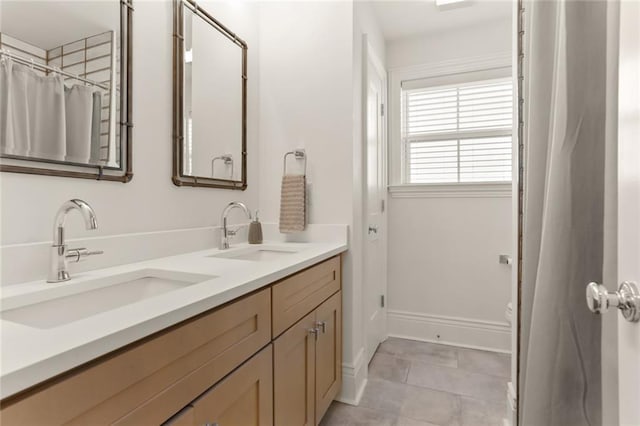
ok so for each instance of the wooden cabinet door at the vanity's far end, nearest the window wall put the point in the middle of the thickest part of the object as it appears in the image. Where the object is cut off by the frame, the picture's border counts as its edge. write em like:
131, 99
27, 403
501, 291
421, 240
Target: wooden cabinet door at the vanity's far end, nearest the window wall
328, 353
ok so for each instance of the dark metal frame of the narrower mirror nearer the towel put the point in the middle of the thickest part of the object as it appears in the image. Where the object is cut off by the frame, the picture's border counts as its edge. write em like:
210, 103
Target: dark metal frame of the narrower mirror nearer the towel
179, 178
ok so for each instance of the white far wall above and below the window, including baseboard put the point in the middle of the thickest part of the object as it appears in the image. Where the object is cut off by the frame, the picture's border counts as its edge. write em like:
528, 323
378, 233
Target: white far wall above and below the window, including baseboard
444, 280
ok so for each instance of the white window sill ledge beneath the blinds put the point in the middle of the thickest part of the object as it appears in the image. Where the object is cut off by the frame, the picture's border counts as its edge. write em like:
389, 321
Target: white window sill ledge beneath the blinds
452, 190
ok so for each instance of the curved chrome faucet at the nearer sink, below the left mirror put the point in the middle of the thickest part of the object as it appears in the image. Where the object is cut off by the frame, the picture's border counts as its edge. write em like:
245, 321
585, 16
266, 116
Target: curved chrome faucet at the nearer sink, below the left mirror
60, 256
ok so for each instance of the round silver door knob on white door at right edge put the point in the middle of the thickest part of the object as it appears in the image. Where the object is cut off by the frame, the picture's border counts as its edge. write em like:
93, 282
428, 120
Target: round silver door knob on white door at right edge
627, 299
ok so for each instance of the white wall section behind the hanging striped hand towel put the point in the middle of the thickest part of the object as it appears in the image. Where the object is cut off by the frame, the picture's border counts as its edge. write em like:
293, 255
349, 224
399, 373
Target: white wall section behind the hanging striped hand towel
306, 102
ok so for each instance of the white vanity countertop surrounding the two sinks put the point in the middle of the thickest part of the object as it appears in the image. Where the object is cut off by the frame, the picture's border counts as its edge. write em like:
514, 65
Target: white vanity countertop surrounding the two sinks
31, 355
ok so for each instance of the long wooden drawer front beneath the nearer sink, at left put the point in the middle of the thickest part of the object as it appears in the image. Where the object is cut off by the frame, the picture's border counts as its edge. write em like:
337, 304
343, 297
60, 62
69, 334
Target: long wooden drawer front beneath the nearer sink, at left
149, 381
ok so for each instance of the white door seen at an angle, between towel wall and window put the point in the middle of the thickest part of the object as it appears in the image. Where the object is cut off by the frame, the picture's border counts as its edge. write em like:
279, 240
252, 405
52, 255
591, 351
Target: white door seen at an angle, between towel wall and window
375, 271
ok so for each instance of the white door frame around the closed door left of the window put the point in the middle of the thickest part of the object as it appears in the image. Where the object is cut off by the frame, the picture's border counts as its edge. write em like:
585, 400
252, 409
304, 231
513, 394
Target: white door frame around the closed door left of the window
369, 56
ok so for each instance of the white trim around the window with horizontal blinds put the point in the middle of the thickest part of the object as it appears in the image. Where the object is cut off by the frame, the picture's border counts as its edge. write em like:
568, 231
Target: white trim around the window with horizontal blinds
396, 145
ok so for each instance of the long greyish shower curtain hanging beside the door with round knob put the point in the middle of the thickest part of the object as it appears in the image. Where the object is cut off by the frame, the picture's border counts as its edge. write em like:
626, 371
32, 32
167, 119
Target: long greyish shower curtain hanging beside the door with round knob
564, 115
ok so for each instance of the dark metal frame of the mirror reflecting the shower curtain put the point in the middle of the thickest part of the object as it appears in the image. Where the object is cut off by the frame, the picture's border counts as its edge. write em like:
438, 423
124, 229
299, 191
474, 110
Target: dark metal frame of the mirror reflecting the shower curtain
126, 123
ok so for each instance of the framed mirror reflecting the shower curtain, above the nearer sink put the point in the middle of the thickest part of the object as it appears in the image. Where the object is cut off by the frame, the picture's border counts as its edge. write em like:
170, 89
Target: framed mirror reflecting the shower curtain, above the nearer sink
65, 88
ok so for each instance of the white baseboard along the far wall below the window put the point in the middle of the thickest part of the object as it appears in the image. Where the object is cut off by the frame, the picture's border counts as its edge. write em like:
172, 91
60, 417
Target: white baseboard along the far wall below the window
463, 332
